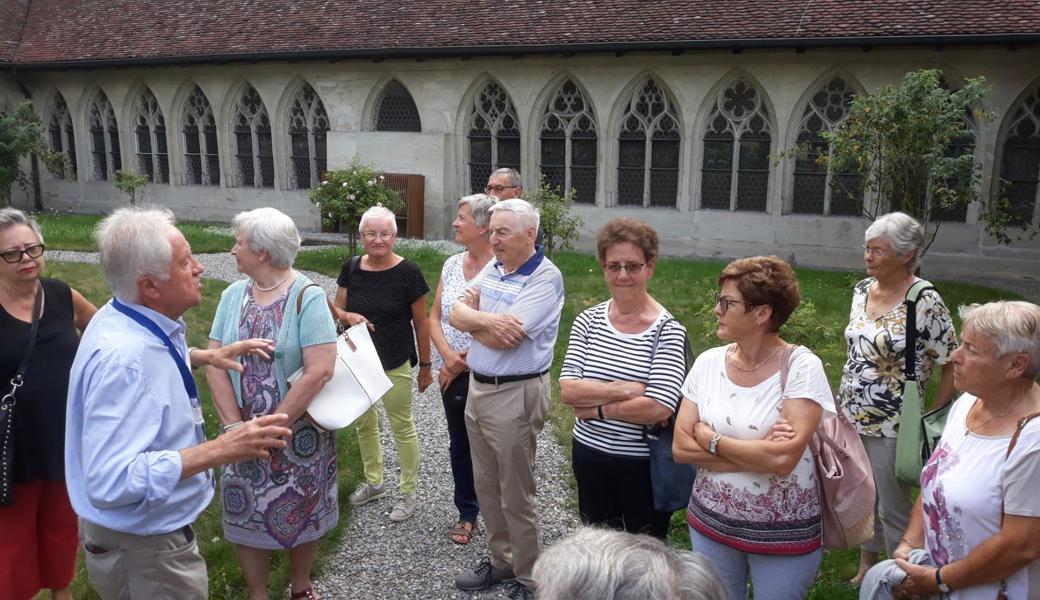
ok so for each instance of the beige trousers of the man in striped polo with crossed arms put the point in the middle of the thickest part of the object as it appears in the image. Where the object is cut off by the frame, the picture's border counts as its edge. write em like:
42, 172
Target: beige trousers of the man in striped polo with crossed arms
504, 423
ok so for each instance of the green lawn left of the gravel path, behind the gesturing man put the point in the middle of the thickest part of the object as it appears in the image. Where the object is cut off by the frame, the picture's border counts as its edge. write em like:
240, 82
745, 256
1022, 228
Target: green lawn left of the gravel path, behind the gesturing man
225, 576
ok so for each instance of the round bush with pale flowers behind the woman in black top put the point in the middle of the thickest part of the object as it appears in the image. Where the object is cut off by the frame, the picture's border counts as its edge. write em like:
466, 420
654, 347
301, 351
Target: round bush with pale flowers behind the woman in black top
347, 194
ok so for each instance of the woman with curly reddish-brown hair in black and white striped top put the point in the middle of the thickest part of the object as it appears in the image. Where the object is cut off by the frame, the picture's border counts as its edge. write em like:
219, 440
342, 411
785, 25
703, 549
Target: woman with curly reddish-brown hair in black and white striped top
618, 384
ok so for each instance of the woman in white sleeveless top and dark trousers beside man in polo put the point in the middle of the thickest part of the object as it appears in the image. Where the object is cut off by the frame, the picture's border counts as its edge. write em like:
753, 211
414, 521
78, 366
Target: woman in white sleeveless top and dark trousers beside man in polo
472, 227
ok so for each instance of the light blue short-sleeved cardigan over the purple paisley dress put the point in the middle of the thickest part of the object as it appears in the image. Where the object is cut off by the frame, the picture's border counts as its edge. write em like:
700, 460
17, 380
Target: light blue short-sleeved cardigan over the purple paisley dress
314, 326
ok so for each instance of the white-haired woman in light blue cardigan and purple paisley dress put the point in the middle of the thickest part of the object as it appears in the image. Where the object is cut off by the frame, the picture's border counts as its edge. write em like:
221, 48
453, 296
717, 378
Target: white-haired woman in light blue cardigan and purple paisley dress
290, 501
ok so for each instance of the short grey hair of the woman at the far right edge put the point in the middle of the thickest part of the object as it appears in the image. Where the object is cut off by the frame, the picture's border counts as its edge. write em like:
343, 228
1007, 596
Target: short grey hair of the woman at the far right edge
1013, 326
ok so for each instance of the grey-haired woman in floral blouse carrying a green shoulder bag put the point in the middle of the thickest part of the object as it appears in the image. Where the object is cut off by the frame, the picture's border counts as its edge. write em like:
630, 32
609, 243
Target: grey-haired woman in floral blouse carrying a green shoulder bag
872, 384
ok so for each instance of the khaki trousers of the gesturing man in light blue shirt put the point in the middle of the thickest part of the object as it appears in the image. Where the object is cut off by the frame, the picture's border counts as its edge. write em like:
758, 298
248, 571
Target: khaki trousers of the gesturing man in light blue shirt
127, 567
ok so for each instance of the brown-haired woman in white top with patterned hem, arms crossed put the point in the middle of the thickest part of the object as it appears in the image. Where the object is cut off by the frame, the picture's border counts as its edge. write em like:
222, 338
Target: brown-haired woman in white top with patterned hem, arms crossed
755, 510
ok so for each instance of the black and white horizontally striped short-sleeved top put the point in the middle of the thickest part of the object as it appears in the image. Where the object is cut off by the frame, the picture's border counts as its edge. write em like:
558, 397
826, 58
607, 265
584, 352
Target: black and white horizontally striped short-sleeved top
597, 351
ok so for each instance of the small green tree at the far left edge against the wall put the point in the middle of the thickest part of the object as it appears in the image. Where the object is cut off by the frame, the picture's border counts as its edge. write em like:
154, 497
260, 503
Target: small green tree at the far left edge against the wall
21, 136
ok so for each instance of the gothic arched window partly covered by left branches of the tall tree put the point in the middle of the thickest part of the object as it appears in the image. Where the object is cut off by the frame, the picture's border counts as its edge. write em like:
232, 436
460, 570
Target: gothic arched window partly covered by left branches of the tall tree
818, 189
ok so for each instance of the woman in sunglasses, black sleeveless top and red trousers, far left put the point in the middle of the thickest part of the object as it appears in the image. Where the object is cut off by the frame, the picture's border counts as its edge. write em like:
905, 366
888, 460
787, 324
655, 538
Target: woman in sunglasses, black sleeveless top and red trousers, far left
38, 549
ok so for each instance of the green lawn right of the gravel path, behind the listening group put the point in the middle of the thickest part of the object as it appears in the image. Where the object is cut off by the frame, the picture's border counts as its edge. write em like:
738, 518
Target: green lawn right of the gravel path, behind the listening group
686, 289
